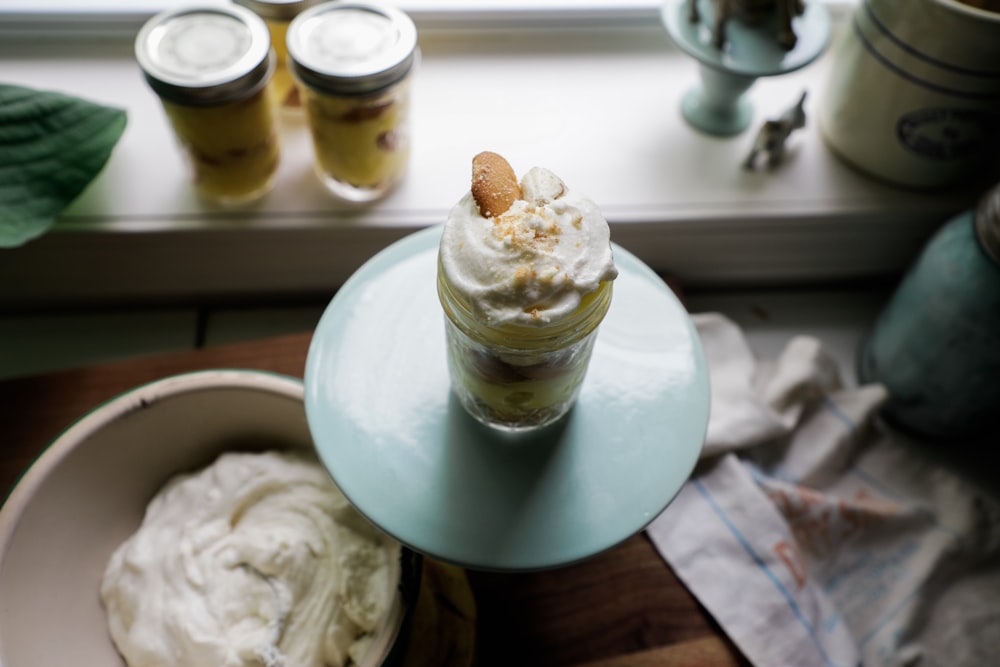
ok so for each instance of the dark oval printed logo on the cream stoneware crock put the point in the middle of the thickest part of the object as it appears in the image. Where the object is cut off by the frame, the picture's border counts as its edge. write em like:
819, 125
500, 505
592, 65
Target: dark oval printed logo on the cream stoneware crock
947, 134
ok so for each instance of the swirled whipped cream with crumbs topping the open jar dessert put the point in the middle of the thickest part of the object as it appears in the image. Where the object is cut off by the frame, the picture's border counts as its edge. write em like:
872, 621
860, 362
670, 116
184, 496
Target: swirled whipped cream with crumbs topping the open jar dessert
534, 263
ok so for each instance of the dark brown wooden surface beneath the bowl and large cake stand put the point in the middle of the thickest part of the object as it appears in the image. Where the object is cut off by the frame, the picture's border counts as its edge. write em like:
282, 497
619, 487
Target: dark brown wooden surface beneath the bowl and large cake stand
622, 607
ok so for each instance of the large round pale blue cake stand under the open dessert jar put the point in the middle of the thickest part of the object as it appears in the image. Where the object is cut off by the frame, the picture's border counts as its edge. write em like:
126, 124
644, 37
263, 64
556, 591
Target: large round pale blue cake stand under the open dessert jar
411, 460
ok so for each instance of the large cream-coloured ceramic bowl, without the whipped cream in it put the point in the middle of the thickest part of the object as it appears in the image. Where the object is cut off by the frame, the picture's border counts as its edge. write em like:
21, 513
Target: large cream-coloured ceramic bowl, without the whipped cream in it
89, 489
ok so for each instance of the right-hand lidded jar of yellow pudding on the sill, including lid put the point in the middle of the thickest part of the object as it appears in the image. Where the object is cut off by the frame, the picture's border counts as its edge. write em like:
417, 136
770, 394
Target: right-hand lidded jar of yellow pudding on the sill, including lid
353, 62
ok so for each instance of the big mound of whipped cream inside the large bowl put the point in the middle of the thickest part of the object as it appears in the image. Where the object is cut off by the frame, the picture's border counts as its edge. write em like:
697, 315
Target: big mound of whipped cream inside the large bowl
256, 560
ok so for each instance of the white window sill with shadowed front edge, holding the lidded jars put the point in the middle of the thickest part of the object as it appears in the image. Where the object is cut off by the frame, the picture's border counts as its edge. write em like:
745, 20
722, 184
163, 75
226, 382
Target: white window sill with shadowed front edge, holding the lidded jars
598, 107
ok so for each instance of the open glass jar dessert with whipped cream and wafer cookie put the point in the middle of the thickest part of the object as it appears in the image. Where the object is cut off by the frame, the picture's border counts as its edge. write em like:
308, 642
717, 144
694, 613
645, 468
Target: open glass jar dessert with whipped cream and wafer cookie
524, 286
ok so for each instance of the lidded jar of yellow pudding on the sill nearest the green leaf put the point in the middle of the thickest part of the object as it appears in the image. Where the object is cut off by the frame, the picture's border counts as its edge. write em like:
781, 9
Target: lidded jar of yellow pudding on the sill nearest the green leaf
210, 67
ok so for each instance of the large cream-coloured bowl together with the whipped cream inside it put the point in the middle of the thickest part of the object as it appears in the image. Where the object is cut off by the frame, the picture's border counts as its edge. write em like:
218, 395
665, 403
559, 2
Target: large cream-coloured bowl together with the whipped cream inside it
189, 522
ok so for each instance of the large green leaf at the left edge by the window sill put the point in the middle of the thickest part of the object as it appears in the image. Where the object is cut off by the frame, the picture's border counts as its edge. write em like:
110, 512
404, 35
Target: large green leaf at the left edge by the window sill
51, 147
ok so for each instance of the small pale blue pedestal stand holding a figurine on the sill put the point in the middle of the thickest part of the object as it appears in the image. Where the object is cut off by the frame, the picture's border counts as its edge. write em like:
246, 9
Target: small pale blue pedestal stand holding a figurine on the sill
718, 105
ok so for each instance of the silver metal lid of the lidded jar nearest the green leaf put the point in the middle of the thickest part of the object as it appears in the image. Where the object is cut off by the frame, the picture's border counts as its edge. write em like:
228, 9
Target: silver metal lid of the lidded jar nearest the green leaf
205, 55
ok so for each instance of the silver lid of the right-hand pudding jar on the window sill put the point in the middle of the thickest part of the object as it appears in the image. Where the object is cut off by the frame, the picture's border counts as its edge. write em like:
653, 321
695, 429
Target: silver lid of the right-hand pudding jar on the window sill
351, 48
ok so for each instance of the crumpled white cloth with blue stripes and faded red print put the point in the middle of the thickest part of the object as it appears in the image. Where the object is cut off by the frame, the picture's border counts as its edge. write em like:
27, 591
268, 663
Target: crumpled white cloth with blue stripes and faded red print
814, 538
